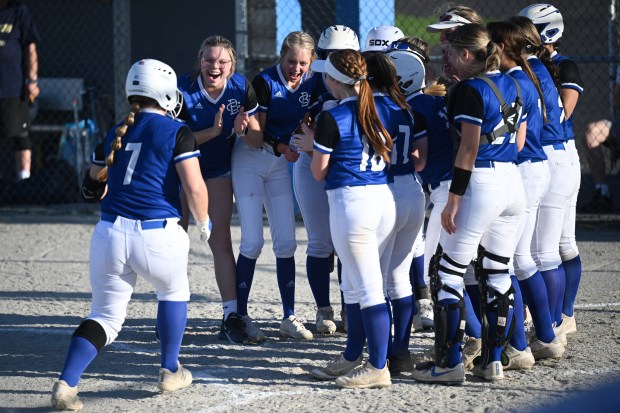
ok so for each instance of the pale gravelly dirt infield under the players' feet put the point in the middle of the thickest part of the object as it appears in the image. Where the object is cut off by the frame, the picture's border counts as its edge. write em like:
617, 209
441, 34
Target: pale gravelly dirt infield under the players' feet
45, 292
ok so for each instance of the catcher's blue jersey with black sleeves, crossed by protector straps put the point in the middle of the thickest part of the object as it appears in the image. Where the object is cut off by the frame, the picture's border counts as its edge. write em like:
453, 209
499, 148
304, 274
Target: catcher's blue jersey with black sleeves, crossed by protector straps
475, 102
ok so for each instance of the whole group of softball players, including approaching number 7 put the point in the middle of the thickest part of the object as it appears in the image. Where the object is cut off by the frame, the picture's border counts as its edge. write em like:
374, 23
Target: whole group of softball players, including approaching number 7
365, 139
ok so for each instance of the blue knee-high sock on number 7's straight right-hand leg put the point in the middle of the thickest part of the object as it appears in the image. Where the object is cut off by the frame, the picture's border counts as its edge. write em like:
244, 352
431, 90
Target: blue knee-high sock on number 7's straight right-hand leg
171, 321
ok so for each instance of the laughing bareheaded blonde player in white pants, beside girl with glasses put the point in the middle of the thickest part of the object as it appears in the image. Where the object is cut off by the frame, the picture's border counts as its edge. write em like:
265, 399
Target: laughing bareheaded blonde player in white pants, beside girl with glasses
261, 177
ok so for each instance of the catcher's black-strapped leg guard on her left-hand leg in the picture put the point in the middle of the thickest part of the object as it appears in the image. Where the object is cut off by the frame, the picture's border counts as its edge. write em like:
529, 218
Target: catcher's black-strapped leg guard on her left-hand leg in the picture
446, 336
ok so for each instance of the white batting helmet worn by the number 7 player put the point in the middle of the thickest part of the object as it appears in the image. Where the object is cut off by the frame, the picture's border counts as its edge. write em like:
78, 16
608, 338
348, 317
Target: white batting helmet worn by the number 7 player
156, 80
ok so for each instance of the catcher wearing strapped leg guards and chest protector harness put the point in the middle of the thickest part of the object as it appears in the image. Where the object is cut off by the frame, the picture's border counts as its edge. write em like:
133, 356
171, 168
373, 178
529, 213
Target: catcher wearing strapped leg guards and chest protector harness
483, 211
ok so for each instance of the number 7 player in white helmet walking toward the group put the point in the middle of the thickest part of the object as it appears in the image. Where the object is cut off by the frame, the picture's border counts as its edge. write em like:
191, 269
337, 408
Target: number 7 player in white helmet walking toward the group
148, 157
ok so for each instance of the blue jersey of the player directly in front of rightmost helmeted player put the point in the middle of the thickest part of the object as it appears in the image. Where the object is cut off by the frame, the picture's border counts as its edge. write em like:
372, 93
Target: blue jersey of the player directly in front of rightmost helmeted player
552, 131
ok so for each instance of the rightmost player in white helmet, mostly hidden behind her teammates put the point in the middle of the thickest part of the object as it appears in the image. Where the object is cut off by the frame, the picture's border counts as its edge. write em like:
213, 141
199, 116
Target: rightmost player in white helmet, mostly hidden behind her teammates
548, 20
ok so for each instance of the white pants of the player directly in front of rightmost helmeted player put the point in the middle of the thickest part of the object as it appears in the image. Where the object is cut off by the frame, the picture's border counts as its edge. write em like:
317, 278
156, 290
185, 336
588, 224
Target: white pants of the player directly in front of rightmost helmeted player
553, 206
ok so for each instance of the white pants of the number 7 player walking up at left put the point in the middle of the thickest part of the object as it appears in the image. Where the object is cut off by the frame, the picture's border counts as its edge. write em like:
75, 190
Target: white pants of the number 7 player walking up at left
122, 250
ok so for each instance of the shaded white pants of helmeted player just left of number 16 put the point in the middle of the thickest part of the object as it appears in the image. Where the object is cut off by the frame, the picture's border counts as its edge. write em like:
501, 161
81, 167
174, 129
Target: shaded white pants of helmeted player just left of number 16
314, 207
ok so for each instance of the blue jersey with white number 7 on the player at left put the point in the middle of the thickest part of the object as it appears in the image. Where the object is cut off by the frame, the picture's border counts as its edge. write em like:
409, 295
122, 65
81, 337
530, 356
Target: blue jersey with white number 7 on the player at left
143, 182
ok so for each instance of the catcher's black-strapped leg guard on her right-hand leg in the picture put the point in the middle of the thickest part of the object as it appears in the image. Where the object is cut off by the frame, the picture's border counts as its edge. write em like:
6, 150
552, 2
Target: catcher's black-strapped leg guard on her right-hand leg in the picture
492, 300
